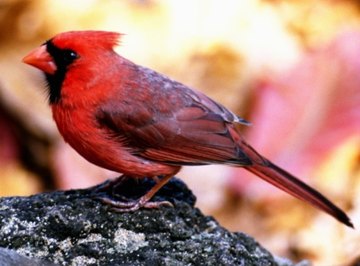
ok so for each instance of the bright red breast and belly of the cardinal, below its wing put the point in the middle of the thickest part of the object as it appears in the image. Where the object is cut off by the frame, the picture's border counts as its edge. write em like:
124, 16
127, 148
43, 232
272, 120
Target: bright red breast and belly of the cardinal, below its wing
98, 147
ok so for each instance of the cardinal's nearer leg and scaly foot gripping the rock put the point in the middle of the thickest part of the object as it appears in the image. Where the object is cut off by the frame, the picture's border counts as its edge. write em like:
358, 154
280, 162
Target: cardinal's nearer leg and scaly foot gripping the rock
143, 202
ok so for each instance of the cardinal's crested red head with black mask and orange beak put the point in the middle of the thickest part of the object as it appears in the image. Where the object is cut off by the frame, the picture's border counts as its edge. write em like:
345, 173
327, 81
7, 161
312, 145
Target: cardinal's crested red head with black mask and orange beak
74, 49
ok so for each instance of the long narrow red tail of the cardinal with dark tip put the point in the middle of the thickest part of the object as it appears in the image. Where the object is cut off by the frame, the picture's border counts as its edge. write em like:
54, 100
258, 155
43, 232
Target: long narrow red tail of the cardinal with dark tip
290, 184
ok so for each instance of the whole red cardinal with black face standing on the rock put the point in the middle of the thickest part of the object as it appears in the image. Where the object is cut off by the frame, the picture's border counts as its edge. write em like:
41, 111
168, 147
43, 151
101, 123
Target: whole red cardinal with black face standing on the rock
135, 121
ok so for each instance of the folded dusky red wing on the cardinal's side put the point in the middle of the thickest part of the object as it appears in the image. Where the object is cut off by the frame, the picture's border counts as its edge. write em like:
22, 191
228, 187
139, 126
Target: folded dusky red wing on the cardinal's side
176, 126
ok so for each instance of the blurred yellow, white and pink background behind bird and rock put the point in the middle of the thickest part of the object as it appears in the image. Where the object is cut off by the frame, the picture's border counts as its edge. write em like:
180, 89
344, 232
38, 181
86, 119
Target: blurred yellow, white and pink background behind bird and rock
290, 67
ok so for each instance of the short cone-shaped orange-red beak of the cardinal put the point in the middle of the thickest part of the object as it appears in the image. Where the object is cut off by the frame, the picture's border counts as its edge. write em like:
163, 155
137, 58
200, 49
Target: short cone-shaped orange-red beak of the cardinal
41, 59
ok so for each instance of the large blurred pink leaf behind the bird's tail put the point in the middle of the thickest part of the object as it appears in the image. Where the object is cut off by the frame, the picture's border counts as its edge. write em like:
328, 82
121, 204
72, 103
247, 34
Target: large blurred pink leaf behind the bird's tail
303, 115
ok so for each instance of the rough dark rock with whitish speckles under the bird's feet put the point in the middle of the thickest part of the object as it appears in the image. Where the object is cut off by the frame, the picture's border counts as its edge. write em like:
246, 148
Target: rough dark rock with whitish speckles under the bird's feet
75, 228
